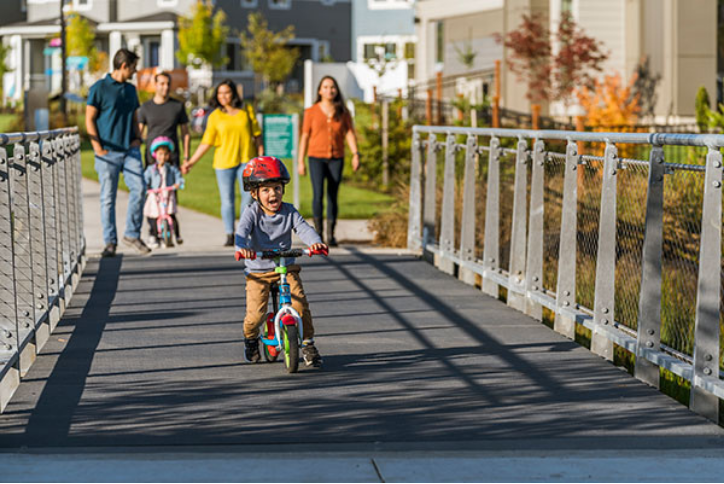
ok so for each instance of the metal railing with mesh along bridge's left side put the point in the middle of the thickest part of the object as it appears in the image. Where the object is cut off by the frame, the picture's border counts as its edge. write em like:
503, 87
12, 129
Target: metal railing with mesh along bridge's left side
42, 248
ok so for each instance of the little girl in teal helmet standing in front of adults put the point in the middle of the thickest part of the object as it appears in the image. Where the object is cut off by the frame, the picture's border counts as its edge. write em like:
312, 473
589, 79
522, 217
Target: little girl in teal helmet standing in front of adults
161, 174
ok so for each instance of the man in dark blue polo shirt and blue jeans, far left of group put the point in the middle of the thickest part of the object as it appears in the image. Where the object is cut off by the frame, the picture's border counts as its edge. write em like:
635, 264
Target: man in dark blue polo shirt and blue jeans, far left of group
113, 131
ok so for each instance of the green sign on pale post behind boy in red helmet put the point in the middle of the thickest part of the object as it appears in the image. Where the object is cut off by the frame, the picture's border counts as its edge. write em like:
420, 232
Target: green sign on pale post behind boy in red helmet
281, 139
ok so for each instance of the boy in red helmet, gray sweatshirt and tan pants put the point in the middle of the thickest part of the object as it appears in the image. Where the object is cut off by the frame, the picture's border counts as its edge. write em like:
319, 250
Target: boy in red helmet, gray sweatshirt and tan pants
268, 225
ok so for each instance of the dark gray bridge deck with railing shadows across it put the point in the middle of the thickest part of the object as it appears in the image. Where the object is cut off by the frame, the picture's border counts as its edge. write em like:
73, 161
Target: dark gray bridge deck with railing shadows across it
149, 354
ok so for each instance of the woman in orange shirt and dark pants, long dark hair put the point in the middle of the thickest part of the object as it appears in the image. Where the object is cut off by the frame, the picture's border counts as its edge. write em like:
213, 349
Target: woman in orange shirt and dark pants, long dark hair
327, 124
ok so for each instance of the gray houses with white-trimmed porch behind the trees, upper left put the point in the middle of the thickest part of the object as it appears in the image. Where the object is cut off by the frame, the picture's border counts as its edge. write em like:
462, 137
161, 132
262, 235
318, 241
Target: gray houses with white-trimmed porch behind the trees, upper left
150, 28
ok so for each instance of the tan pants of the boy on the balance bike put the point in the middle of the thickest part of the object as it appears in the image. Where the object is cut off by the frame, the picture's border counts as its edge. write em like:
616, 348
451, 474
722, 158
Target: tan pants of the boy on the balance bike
258, 285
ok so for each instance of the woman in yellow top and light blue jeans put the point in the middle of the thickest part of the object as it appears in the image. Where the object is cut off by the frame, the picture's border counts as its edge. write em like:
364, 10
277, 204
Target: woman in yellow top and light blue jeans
233, 130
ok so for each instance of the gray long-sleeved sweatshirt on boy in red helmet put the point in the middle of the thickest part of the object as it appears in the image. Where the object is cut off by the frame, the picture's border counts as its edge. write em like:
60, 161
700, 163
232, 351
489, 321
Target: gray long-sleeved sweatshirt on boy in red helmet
258, 231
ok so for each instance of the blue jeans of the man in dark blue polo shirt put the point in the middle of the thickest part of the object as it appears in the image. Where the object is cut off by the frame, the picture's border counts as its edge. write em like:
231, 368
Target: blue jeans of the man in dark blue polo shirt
109, 168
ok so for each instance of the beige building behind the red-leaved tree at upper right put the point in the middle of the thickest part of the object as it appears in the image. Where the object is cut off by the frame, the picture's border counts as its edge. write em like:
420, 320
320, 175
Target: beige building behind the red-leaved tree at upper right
679, 37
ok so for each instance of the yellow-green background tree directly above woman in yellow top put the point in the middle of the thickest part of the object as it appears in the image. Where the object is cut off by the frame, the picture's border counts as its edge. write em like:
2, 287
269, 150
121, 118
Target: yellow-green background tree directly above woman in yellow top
201, 36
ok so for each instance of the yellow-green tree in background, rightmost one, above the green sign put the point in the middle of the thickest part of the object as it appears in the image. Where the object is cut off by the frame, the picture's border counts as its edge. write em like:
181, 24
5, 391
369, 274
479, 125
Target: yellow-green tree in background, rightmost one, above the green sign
267, 51
